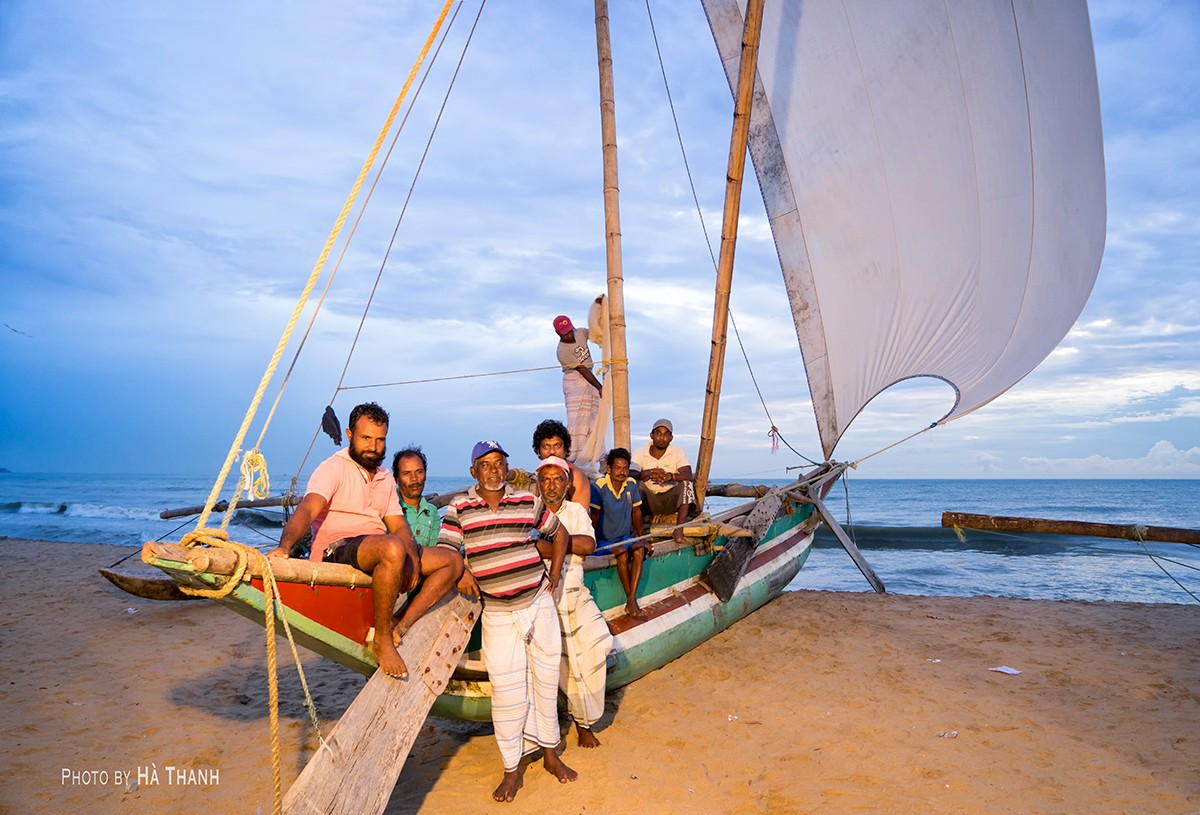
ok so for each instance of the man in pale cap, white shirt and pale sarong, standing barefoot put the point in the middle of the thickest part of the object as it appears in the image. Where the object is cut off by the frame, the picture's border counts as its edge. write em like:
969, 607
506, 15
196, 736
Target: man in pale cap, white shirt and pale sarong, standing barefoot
586, 636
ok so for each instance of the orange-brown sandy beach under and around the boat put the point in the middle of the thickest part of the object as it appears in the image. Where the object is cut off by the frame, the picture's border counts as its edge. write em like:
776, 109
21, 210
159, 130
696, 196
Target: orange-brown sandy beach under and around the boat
820, 703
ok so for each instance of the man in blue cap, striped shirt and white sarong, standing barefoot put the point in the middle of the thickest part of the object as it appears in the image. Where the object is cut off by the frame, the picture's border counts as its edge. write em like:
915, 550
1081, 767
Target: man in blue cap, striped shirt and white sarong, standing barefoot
499, 530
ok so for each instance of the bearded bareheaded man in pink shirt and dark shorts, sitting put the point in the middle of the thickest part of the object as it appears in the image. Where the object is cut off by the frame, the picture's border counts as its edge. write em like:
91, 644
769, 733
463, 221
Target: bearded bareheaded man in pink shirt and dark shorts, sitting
352, 507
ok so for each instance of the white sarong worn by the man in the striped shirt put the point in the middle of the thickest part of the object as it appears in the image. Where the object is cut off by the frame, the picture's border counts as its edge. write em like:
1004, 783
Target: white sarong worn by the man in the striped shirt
523, 651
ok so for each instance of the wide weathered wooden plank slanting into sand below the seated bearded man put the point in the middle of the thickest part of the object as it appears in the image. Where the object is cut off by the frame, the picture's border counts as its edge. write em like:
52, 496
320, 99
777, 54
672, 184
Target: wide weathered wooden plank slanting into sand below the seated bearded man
373, 740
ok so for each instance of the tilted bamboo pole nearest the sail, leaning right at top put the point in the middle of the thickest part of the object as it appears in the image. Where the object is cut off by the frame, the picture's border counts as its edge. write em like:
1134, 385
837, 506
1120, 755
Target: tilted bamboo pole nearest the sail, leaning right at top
747, 73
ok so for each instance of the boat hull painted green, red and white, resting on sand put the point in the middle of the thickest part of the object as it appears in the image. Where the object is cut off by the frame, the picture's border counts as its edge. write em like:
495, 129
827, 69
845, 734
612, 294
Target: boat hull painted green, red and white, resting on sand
681, 610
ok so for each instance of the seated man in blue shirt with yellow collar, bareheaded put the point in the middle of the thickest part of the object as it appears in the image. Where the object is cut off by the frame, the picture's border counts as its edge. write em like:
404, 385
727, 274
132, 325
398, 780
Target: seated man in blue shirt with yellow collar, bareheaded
617, 517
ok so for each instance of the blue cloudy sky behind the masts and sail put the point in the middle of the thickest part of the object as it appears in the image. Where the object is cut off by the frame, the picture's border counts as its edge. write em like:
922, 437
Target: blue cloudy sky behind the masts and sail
170, 175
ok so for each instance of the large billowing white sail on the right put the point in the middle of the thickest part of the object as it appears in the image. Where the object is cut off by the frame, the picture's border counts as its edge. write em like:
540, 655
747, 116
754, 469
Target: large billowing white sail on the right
934, 176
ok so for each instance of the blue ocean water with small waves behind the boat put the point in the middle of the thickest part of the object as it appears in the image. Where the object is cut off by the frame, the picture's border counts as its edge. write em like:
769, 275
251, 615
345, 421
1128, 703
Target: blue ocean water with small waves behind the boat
896, 523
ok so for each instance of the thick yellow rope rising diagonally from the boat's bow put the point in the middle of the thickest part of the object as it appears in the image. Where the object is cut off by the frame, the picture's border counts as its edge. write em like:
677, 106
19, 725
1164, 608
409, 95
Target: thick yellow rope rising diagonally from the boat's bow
239, 438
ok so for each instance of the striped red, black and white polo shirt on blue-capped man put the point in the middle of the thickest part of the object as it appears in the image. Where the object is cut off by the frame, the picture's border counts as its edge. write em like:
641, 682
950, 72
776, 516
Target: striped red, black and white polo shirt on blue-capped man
497, 547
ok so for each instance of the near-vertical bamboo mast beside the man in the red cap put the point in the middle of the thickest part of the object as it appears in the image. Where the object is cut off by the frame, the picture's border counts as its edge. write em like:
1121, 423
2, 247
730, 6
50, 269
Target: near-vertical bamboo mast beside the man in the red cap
619, 380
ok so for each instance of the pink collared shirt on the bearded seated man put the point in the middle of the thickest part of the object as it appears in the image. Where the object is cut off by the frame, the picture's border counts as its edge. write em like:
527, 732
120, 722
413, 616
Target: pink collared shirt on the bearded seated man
358, 501
